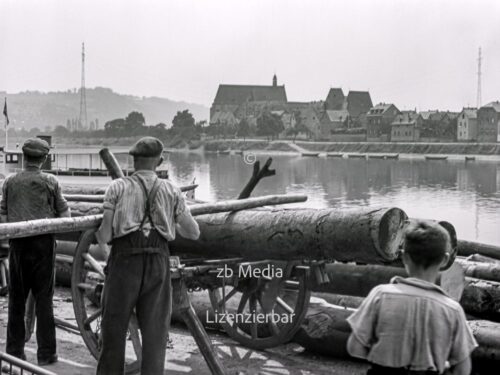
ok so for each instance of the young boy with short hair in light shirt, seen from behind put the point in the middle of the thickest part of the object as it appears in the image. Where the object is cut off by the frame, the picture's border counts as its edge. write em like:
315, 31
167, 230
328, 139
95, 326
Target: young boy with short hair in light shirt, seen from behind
411, 326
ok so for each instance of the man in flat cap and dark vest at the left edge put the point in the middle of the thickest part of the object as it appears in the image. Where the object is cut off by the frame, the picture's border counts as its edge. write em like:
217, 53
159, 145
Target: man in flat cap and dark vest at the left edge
29, 195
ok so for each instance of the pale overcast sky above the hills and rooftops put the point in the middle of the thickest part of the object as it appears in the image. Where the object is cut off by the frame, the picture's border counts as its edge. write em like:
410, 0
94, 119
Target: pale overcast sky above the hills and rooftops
414, 53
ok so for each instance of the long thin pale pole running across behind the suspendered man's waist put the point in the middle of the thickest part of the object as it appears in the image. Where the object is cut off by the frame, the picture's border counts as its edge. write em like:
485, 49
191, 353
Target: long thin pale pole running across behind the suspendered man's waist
82, 223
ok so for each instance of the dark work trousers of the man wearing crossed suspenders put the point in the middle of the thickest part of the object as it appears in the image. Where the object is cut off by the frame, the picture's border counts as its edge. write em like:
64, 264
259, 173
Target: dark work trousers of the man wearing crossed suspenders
137, 276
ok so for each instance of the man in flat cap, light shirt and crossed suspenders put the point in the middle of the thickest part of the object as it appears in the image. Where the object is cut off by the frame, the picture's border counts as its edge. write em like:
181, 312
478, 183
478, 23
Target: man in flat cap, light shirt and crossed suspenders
141, 215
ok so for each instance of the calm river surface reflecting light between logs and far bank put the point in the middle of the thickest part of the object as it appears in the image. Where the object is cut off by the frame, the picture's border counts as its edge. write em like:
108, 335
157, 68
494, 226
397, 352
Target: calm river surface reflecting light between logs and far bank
465, 194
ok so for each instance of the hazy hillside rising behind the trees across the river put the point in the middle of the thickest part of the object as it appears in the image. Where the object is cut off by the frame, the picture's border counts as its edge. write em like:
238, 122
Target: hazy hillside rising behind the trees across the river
37, 109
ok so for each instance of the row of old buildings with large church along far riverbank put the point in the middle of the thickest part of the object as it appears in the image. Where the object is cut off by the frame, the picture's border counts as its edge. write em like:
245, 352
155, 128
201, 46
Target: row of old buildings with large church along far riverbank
353, 116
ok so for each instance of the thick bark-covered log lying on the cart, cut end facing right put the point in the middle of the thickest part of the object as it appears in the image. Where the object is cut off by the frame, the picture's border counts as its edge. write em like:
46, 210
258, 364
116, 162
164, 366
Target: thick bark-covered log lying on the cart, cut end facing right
364, 235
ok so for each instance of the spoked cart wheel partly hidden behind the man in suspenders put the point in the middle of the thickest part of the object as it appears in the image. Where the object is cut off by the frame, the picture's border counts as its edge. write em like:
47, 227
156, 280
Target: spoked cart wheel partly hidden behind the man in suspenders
87, 283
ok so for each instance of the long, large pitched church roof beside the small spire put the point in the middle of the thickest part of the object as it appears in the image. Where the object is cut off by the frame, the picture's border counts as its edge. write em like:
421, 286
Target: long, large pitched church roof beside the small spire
238, 94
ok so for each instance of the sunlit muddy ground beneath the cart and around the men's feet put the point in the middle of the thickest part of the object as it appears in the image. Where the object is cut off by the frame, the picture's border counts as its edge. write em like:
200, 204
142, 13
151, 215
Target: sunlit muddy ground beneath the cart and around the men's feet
184, 357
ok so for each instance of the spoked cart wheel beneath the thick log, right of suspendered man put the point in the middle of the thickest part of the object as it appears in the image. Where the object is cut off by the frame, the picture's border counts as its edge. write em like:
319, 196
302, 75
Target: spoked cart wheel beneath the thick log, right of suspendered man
263, 312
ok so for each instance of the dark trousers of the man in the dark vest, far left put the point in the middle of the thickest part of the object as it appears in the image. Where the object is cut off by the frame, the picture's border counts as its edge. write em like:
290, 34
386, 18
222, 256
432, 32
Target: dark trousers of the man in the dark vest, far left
31, 268
